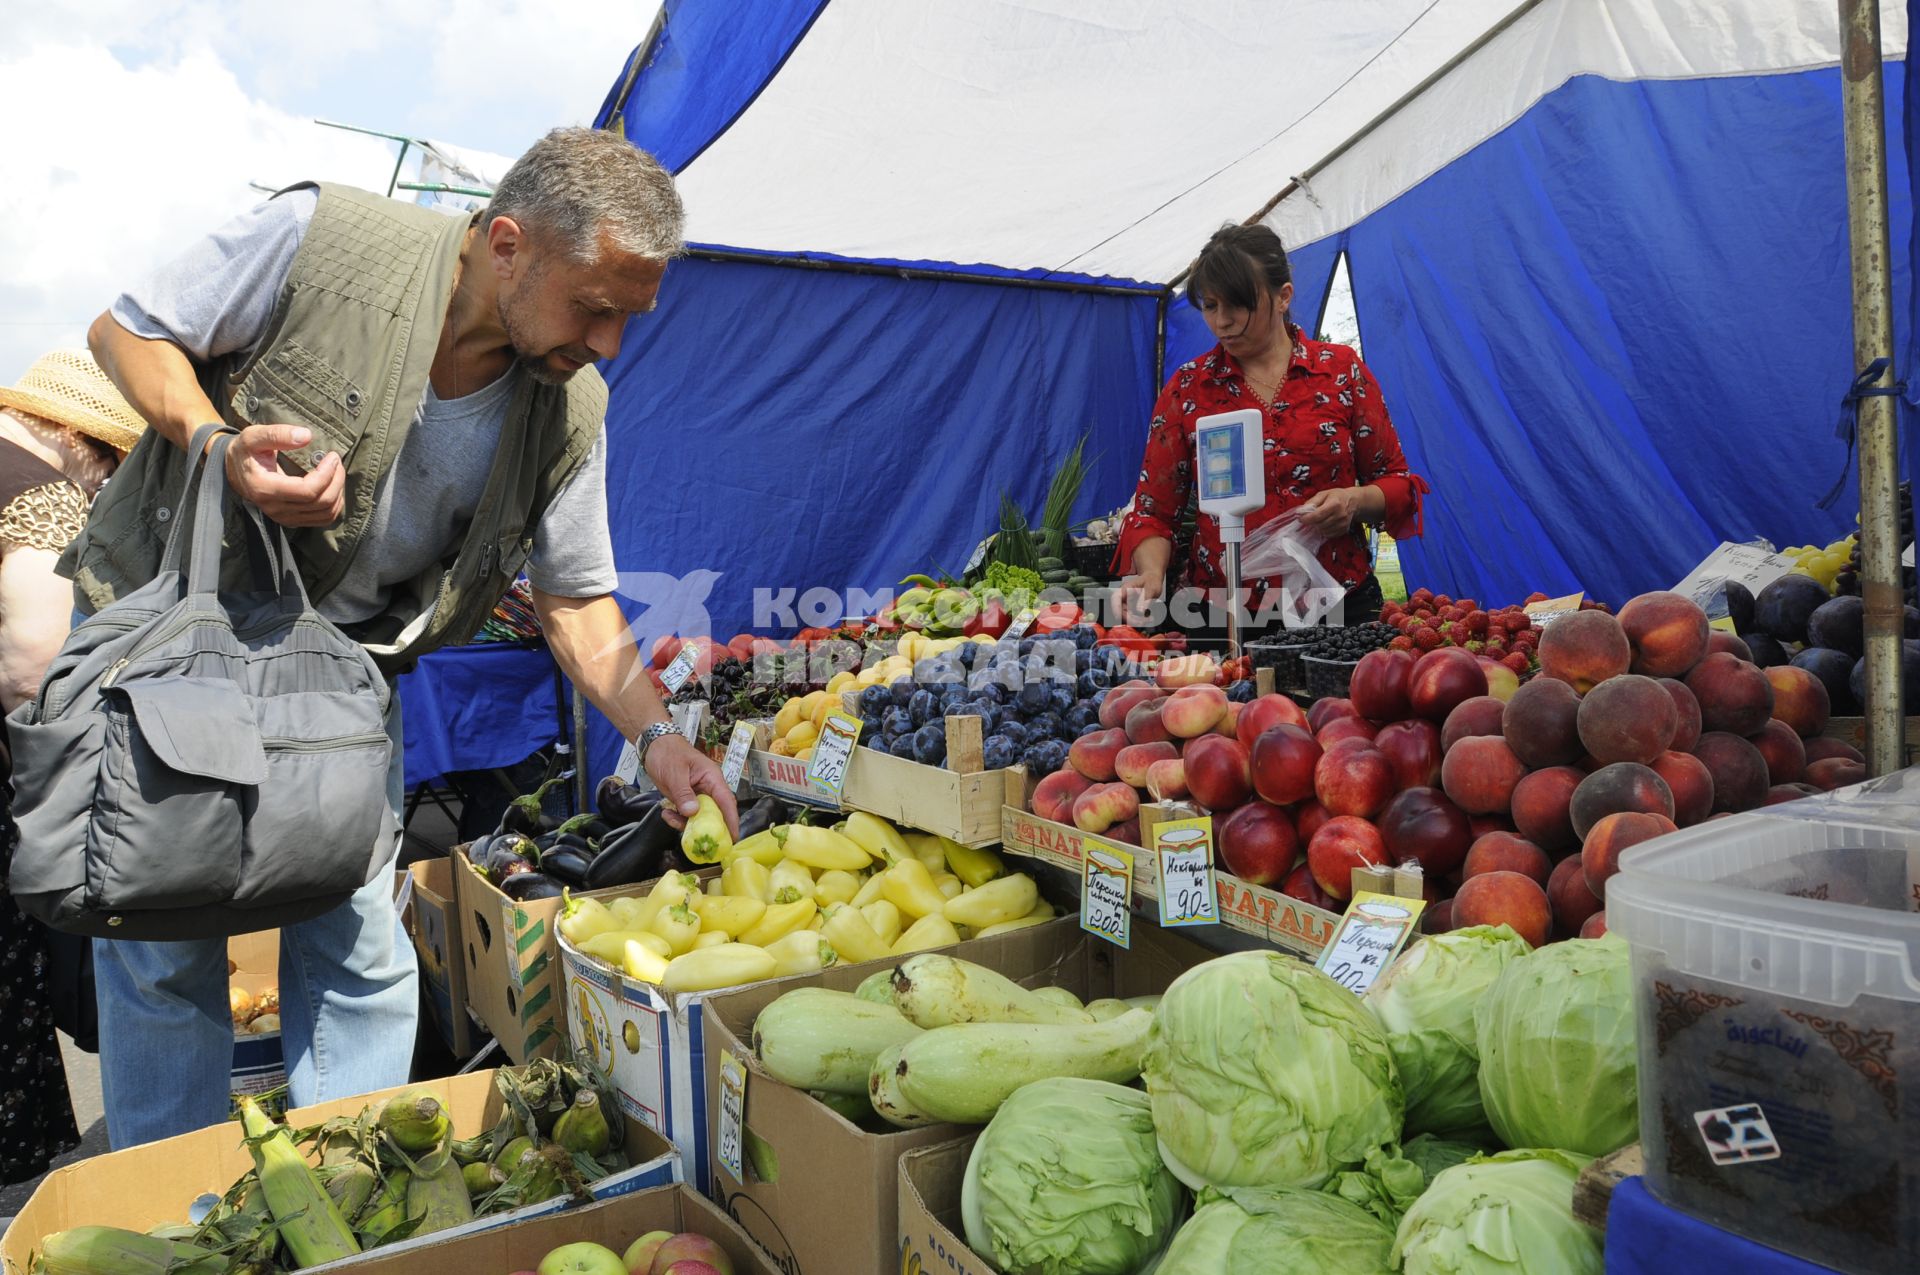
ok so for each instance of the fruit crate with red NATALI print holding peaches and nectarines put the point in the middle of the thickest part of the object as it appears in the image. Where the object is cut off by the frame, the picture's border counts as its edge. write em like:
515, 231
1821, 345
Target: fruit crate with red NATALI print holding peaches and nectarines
1272, 917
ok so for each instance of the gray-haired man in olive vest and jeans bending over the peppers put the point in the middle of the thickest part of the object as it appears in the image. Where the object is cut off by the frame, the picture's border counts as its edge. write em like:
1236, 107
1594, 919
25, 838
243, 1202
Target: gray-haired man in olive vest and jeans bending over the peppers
416, 404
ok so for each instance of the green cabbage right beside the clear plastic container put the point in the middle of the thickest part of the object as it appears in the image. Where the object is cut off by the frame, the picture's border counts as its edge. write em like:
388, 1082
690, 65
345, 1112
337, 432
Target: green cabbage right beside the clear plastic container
1558, 1055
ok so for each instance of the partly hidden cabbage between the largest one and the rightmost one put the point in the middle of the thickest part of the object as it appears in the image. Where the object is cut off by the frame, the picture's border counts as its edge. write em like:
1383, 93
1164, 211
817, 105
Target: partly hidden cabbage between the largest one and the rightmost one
1426, 1001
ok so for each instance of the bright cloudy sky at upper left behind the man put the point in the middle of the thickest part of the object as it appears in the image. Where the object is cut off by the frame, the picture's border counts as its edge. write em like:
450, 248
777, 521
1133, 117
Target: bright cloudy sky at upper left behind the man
128, 128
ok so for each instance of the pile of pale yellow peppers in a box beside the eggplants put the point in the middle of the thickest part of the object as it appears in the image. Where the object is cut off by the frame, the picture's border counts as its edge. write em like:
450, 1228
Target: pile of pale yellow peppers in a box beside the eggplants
796, 900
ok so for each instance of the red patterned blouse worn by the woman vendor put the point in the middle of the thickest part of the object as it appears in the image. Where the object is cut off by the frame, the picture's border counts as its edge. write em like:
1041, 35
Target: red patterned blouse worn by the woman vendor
1326, 429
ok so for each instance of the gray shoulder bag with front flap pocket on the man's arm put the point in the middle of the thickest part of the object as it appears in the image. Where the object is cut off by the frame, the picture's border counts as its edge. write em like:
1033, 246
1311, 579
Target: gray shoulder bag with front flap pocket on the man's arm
199, 763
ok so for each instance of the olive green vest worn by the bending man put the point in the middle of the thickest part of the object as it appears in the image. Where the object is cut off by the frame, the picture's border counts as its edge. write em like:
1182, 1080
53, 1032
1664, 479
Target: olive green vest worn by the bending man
348, 354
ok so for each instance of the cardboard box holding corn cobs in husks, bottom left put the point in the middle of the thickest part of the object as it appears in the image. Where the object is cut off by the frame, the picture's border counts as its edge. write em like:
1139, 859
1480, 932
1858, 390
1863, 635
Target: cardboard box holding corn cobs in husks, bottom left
156, 1184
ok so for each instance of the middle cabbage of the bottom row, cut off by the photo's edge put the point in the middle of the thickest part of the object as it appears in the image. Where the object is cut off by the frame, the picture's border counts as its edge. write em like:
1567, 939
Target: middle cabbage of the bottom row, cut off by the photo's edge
1280, 1232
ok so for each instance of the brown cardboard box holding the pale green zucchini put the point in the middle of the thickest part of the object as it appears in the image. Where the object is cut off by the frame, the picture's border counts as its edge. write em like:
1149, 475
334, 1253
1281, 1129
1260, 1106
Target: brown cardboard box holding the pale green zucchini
834, 1186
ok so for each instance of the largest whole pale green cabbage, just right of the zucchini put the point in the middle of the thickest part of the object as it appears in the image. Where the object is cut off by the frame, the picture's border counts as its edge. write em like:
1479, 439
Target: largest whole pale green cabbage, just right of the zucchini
1264, 1072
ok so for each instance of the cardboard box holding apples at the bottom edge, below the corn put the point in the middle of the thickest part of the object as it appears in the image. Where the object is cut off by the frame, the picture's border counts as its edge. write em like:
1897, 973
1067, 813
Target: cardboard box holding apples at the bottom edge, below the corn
613, 1224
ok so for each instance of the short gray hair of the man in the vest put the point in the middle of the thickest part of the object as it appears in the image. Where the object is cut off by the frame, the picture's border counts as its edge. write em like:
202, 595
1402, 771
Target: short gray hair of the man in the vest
583, 183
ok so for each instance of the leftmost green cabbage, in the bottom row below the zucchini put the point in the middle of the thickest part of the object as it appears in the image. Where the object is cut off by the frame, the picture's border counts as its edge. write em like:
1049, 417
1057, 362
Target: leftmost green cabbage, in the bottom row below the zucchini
1067, 1182
